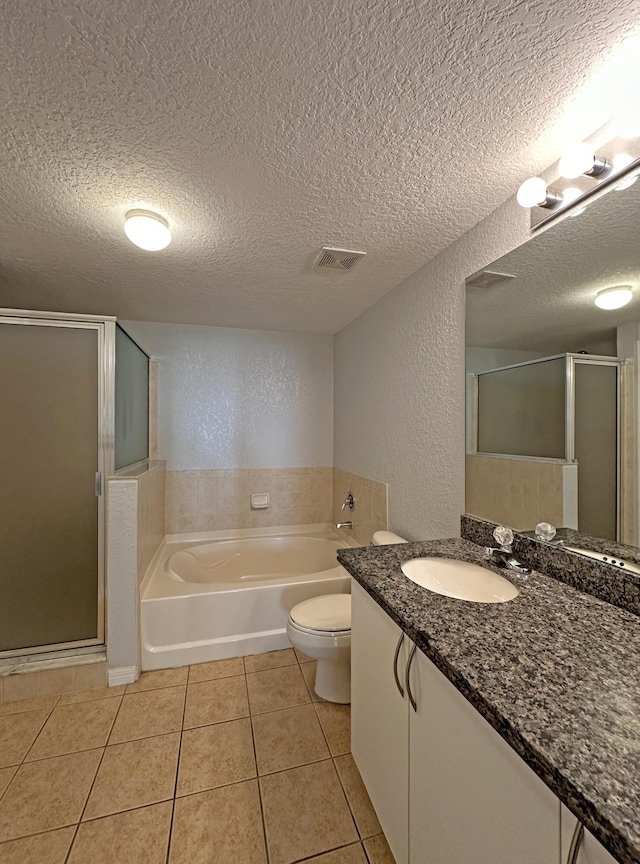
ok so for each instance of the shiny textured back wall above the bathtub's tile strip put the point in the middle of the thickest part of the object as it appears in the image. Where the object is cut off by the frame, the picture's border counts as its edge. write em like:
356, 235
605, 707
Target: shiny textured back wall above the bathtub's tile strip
240, 398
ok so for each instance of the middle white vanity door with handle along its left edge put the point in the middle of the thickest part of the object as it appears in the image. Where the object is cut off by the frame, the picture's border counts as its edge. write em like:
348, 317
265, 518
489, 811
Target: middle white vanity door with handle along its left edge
473, 799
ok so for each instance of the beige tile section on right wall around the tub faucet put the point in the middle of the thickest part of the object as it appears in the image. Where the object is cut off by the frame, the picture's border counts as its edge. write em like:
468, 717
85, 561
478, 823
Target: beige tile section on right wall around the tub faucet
370, 511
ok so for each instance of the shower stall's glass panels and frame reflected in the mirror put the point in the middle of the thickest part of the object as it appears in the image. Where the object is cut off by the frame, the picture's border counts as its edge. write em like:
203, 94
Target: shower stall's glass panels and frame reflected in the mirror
566, 408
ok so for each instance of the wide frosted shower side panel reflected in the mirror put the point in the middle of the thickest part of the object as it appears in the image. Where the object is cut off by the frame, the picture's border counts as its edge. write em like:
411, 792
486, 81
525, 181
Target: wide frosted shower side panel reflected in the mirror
522, 410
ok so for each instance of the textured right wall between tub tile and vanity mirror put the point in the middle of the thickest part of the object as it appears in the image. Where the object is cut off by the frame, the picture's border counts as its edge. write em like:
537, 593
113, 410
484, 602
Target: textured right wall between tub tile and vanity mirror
399, 383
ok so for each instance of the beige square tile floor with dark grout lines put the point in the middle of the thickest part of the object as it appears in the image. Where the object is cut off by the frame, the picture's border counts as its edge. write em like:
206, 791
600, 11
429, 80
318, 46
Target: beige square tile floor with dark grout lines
231, 762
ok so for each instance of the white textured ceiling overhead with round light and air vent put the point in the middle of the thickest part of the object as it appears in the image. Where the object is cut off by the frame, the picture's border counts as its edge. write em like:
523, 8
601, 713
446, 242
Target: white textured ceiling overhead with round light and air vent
265, 129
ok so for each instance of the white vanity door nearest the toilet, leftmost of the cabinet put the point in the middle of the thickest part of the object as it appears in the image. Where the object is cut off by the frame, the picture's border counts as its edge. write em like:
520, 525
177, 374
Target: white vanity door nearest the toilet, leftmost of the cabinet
379, 721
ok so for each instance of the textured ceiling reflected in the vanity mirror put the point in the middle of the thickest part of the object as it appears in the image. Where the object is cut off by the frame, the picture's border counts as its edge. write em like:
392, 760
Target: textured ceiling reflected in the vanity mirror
549, 306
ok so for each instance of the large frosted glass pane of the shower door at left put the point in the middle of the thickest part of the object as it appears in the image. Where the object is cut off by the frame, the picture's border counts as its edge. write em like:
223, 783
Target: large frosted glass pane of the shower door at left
48, 505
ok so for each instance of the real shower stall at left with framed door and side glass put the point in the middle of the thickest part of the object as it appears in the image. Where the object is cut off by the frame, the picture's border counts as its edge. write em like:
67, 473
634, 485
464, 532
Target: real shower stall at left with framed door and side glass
74, 391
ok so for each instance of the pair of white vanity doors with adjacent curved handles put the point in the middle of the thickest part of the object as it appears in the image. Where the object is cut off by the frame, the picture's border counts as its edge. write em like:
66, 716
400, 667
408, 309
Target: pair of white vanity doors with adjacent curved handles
446, 787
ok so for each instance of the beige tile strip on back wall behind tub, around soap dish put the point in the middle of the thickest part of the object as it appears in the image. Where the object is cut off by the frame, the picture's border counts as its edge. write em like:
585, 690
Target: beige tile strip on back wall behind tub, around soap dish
219, 500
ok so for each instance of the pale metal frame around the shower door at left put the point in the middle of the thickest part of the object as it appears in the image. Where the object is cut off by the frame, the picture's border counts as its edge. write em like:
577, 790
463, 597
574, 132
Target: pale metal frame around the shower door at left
105, 328
